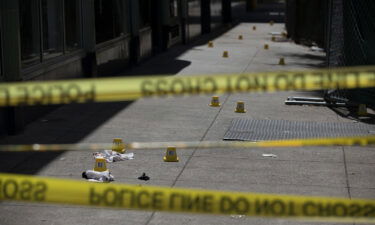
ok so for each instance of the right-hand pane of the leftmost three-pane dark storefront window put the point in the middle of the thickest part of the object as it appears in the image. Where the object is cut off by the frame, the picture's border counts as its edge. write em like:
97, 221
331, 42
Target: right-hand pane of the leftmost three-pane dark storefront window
72, 24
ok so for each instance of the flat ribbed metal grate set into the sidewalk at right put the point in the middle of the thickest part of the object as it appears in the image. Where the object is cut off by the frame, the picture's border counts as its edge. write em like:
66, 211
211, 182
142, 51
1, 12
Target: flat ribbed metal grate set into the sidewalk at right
256, 130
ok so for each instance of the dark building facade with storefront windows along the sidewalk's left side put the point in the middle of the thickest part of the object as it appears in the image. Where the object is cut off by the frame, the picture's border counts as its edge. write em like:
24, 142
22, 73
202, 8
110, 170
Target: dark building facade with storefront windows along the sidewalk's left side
60, 39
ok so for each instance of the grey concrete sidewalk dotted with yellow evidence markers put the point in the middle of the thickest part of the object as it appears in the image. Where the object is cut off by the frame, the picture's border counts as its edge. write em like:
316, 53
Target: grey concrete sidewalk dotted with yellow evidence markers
335, 171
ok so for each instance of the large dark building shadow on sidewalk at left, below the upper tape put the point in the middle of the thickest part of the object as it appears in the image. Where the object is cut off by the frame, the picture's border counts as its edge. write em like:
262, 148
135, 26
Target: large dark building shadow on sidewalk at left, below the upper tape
67, 124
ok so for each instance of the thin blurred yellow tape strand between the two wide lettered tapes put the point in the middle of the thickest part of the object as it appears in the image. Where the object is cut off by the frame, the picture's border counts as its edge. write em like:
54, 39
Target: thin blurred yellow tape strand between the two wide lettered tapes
337, 141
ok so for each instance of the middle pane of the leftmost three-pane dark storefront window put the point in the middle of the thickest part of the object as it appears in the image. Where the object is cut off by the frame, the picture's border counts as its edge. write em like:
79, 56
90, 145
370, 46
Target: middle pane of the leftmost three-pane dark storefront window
53, 35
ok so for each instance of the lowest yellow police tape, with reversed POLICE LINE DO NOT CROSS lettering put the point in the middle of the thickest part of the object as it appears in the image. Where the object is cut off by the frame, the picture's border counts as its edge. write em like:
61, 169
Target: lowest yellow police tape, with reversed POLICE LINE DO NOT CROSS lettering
63, 191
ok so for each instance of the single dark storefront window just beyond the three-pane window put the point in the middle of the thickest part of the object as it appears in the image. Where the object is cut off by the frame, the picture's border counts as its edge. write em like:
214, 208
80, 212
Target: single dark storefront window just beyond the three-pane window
107, 19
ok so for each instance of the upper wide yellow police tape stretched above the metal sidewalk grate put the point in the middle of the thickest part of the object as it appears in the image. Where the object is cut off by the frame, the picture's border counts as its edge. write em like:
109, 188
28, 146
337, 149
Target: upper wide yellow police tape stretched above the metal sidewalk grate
131, 88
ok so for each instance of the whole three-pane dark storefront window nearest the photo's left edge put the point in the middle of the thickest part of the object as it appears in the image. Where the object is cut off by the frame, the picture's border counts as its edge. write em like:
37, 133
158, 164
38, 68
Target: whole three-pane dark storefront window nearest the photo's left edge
42, 29
